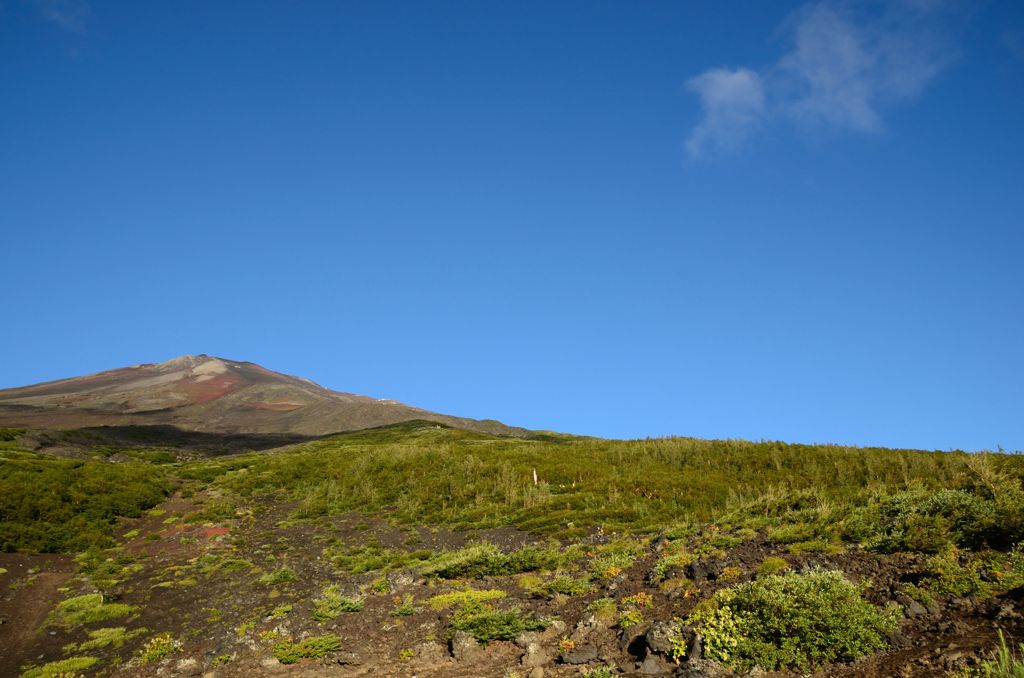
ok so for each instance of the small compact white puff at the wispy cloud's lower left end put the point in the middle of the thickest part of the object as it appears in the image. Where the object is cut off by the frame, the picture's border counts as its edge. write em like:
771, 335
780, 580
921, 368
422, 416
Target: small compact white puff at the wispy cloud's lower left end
734, 104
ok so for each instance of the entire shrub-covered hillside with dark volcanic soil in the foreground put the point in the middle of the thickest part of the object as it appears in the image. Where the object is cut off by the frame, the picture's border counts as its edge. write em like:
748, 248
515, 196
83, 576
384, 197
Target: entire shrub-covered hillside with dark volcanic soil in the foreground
420, 548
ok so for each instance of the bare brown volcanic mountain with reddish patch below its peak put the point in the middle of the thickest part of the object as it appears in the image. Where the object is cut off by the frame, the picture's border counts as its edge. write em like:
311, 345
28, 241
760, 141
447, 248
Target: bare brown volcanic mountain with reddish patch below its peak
205, 394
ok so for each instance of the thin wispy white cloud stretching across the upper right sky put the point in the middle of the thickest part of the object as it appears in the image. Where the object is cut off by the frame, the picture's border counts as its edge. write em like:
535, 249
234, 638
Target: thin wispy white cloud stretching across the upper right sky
844, 69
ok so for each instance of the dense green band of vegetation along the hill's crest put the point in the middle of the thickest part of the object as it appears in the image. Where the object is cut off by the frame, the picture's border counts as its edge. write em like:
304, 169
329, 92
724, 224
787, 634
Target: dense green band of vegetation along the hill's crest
472, 481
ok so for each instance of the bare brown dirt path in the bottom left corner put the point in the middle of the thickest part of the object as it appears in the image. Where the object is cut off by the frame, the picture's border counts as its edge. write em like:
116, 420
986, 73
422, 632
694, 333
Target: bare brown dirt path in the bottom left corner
28, 592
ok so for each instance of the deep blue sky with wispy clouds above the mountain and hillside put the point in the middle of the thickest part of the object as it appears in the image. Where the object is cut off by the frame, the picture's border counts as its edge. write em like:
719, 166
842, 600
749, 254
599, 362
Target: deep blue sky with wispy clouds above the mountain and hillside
799, 222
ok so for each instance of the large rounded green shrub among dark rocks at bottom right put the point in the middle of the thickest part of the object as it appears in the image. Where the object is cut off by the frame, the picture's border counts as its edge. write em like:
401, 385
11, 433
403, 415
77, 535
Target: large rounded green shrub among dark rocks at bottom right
792, 621
